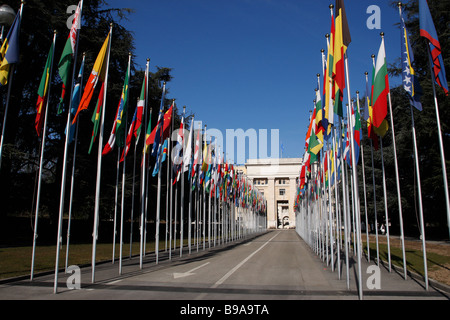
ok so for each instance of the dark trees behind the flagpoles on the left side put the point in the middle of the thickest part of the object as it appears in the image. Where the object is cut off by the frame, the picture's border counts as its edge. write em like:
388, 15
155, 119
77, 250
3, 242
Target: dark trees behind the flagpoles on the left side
22, 146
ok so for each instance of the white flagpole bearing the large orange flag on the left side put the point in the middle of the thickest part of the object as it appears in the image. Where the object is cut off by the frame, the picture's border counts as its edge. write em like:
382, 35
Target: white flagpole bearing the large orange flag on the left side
99, 163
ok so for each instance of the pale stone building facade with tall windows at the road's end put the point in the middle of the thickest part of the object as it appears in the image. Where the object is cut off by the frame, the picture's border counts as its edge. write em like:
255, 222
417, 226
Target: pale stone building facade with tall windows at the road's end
277, 180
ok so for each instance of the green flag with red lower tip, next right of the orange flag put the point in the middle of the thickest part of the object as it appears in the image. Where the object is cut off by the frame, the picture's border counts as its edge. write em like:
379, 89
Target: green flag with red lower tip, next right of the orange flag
119, 126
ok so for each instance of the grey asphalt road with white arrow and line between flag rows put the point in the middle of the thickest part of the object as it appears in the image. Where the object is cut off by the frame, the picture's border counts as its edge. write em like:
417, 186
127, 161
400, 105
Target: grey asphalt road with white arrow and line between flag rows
276, 265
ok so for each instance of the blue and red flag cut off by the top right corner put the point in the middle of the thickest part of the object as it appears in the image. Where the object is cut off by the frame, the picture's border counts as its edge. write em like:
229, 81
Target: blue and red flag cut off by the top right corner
428, 31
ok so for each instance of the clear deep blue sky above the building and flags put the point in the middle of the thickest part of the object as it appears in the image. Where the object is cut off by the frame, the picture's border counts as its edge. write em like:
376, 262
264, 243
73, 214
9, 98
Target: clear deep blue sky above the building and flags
252, 64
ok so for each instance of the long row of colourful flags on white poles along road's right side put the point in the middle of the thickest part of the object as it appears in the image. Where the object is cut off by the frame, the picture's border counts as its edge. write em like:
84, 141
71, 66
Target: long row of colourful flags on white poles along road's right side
328, 206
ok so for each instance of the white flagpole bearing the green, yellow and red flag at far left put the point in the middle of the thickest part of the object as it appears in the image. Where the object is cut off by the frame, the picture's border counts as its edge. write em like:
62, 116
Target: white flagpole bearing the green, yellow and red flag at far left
42, 159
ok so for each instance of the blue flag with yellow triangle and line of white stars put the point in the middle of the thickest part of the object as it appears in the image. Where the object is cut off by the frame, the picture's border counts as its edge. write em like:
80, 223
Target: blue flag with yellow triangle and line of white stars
409, 77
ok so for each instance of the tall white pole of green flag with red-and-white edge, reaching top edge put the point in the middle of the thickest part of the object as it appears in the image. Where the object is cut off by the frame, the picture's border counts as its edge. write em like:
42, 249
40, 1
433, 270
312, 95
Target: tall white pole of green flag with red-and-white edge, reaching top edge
66, 147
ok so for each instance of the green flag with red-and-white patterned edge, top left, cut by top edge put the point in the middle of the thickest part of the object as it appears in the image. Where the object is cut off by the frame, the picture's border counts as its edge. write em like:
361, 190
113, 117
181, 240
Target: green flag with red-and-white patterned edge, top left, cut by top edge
65, 62
